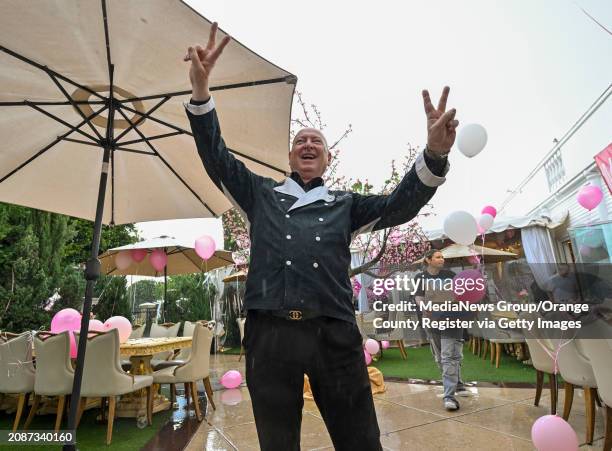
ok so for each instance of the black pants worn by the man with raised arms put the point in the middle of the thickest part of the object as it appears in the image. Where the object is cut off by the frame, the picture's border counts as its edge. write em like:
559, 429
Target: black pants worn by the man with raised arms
278, 354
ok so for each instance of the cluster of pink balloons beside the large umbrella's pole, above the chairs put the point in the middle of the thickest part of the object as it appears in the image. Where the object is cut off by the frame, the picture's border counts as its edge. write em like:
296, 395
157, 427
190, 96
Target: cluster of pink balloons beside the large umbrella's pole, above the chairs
70, 320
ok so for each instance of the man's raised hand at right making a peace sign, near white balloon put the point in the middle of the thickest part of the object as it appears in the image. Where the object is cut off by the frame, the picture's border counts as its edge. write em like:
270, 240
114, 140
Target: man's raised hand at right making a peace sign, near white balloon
441, 124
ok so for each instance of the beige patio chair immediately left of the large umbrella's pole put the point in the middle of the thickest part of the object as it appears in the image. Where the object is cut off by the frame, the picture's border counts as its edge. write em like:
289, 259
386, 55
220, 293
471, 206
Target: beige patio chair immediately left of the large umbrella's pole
54, 372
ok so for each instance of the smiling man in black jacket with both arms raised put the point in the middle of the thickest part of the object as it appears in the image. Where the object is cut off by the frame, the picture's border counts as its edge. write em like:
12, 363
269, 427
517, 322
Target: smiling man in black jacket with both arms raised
300, 318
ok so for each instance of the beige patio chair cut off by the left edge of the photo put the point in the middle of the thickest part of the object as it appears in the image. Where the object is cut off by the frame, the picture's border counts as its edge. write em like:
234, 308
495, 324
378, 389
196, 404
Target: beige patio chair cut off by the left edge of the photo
17, 372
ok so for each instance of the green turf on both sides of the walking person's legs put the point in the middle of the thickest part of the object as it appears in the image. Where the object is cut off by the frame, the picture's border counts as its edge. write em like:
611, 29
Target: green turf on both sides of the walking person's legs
420, 365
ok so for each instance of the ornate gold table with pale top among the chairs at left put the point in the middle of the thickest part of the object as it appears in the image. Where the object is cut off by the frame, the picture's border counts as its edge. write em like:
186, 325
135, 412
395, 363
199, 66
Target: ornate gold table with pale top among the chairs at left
140, 351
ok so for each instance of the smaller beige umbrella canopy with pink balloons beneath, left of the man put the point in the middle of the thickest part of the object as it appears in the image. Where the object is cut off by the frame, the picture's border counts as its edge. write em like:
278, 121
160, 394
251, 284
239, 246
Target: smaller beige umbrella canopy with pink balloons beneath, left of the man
182, 259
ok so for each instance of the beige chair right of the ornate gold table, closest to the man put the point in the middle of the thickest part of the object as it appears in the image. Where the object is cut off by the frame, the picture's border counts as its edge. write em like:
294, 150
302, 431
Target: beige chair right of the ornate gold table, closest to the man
194, 369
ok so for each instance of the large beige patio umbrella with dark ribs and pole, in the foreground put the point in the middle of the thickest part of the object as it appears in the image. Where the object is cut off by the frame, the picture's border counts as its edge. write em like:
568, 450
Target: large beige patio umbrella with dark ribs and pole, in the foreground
92, 121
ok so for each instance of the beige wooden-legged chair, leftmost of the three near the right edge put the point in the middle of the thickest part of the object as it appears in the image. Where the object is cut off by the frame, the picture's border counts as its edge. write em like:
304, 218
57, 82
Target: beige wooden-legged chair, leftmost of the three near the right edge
541, 351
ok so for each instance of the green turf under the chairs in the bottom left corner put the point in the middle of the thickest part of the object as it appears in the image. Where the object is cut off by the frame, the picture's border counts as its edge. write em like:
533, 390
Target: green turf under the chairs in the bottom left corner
91, 436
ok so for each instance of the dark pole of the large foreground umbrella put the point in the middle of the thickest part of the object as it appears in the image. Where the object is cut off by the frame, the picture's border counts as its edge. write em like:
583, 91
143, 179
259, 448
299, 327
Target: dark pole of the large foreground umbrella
92, 268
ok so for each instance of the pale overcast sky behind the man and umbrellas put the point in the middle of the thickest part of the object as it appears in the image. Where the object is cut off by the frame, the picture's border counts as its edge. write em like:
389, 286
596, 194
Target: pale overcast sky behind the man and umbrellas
525, 70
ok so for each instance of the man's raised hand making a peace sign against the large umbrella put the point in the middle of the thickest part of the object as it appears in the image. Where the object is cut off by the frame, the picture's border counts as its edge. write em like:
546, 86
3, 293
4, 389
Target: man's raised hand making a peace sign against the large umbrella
202, 62
